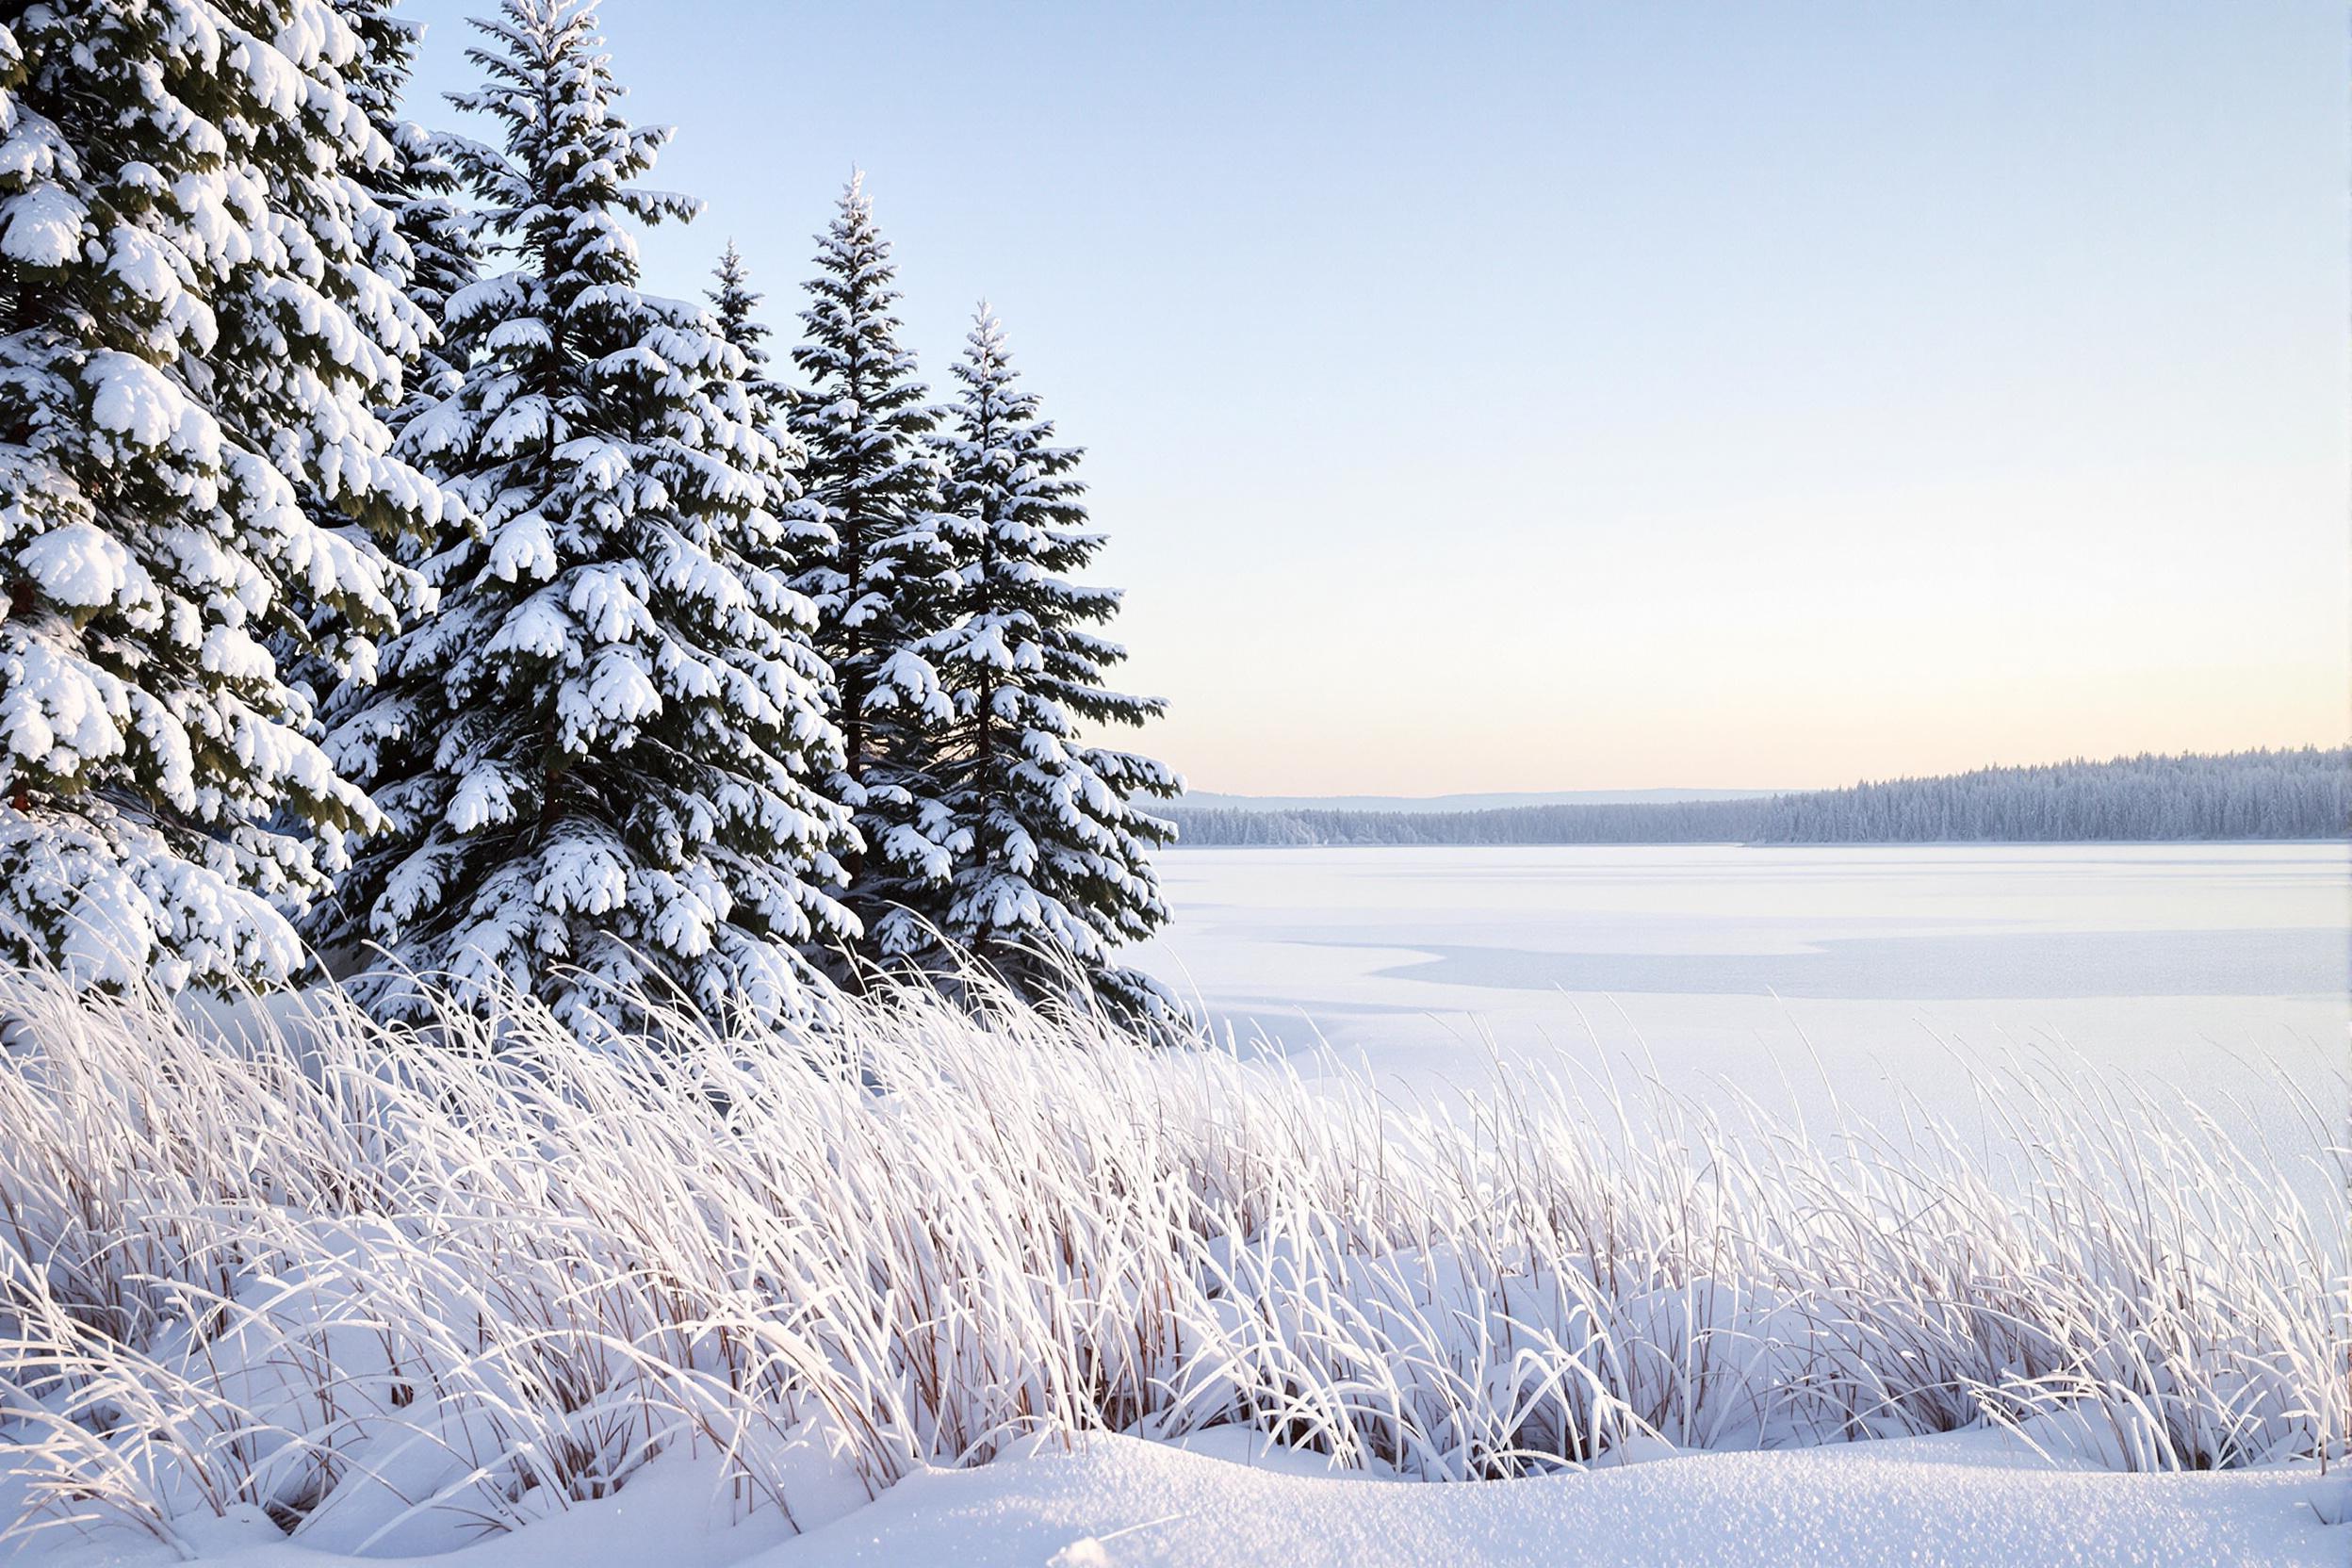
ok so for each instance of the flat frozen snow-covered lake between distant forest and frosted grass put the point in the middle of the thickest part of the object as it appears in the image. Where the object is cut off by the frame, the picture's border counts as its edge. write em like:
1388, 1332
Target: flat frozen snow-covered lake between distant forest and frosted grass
1782, 970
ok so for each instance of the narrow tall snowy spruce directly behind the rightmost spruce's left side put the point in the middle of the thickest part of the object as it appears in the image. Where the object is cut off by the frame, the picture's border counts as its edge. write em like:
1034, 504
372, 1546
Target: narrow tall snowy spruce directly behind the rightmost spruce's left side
869, 511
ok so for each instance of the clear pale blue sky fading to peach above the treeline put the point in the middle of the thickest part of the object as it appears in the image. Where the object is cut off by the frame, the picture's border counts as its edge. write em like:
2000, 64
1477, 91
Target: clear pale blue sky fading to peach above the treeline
1610, 396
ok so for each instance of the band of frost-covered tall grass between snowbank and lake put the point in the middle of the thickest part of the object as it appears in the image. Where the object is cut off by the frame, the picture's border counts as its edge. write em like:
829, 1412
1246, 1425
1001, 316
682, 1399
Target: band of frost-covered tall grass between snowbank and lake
385, 1287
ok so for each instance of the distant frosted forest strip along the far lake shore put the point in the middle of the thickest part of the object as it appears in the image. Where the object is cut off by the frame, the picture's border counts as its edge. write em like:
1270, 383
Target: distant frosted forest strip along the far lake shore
2243, 796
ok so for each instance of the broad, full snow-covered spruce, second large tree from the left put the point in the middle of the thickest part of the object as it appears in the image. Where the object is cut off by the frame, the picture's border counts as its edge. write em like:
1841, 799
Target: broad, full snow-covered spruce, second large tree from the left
599, 756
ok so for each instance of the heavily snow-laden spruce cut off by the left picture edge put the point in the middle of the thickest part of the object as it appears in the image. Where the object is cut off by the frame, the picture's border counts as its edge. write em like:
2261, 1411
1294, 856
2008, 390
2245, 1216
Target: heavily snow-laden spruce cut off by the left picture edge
192, 347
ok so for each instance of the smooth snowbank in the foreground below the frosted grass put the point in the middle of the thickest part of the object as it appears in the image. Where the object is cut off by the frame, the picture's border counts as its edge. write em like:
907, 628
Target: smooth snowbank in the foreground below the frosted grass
1958, 1501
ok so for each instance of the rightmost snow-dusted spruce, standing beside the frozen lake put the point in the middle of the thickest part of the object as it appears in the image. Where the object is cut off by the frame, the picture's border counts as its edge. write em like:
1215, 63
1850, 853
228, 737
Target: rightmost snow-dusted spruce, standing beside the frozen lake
1053, 857
